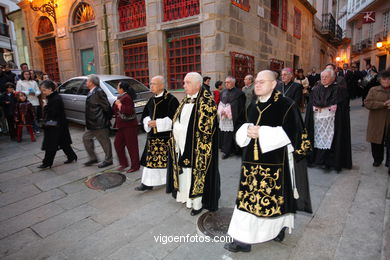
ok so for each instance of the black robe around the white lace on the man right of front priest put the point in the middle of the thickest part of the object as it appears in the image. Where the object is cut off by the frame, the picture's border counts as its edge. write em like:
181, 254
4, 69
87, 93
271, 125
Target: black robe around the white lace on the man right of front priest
339, 155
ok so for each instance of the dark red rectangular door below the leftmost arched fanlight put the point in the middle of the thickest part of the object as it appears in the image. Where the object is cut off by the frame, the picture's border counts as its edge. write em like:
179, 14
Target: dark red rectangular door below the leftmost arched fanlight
50, 59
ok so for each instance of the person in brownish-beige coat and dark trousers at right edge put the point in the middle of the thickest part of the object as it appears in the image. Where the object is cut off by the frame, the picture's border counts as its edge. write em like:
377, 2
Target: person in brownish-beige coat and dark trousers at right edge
378, 102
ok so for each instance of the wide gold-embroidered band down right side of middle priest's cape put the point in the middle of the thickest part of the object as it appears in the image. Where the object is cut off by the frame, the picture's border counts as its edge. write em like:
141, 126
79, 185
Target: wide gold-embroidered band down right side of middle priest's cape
203, 142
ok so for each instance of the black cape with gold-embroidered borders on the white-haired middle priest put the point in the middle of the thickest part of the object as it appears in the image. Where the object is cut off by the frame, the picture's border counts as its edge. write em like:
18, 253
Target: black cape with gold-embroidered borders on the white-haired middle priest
201, 153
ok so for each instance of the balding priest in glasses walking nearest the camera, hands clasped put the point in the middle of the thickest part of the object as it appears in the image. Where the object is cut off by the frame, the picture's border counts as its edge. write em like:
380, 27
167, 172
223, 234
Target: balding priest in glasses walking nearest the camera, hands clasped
272, 139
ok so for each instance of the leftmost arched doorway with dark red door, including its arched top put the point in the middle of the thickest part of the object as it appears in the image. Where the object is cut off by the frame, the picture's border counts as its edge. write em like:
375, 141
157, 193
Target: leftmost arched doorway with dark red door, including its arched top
49, 49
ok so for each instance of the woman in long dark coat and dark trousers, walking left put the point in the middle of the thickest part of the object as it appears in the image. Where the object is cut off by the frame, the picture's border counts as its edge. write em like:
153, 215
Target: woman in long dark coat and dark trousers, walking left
56, 128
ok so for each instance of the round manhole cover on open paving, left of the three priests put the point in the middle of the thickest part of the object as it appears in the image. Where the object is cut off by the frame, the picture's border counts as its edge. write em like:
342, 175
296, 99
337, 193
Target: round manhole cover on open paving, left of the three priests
106, 180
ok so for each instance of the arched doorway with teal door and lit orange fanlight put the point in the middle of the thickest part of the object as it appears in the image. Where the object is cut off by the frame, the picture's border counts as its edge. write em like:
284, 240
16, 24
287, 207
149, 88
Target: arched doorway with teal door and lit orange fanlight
85, 39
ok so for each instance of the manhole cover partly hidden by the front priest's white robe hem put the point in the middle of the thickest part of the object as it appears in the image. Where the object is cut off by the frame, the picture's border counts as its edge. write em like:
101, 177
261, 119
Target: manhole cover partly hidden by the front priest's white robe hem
216, 223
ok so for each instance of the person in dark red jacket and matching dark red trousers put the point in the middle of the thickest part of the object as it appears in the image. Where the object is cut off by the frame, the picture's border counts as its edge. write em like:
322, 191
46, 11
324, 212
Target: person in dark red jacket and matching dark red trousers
126, 122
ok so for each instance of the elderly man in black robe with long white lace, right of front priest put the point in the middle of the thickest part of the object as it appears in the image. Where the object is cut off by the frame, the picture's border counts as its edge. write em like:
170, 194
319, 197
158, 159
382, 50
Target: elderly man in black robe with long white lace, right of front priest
328, 124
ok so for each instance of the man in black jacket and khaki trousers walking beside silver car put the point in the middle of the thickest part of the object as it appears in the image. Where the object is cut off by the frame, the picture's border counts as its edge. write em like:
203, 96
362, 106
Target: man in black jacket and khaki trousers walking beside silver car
97, 118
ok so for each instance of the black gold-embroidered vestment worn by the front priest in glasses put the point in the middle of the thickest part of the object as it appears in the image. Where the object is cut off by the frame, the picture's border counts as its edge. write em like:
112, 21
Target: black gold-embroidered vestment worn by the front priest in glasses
265, 188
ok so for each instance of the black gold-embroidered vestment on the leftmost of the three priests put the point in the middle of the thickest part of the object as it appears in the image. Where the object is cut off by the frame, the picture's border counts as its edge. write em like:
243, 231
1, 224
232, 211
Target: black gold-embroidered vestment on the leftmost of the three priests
155, 154
